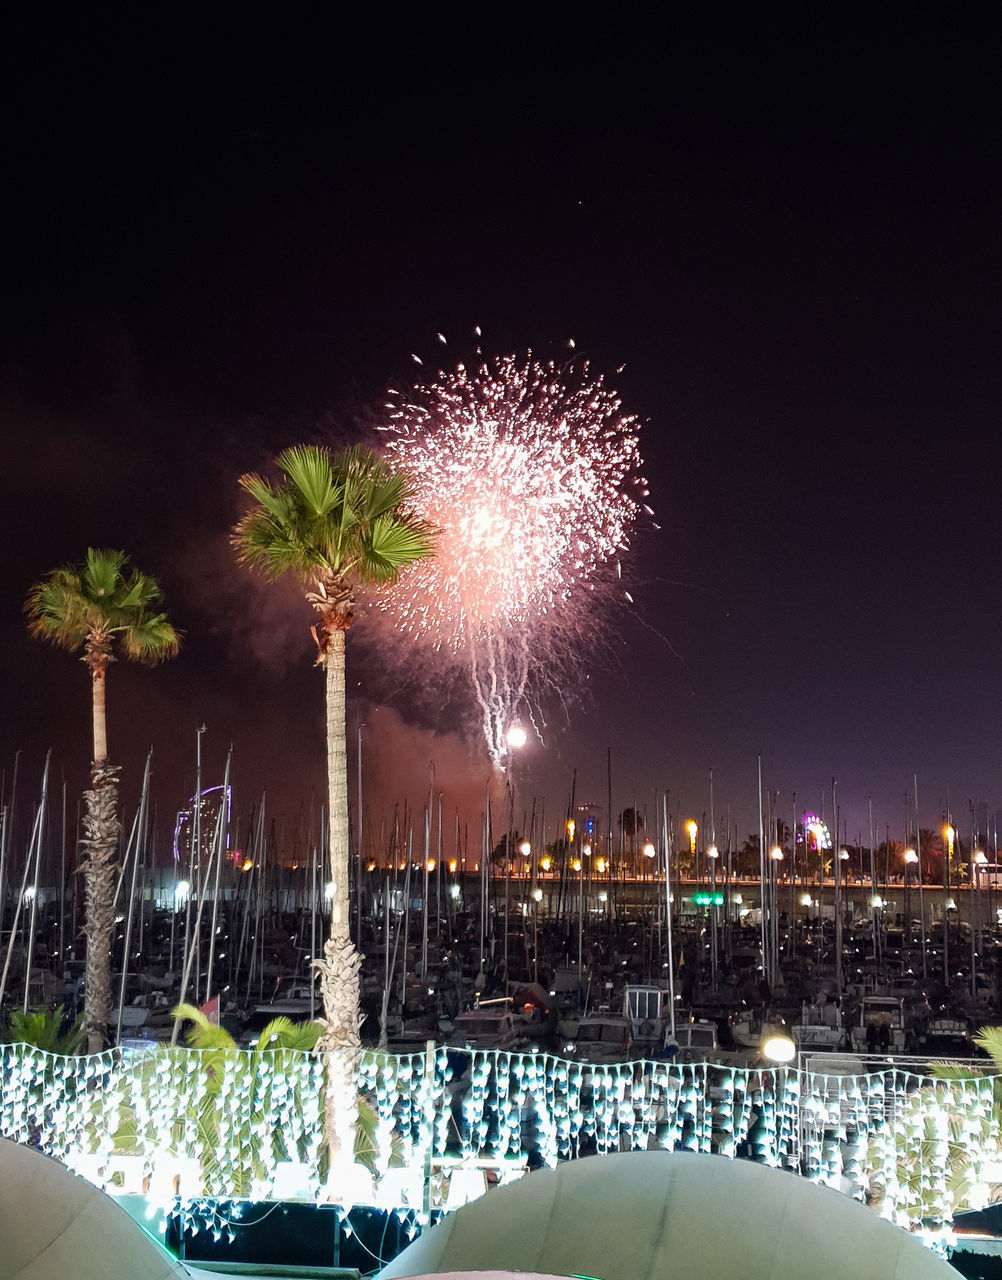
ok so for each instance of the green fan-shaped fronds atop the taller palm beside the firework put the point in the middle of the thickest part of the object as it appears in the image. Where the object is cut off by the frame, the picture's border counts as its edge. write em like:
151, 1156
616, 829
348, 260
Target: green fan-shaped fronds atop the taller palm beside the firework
336, 515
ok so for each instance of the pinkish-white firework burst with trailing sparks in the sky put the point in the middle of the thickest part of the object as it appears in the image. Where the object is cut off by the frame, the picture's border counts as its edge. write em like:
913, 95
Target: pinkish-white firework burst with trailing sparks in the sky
532, 472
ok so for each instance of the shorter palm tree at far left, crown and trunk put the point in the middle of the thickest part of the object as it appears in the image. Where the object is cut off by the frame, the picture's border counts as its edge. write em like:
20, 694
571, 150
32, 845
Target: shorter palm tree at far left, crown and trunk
99, 607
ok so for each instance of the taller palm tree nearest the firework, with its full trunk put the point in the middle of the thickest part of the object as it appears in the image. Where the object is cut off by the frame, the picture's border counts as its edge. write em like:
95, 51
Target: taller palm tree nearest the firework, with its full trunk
338, 523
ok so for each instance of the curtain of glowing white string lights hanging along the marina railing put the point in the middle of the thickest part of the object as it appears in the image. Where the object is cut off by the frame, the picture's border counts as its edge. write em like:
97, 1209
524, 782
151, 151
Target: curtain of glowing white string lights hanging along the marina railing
249, 1126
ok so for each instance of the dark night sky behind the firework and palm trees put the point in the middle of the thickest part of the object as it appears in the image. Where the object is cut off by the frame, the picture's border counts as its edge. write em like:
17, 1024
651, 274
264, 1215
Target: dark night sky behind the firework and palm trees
223, 239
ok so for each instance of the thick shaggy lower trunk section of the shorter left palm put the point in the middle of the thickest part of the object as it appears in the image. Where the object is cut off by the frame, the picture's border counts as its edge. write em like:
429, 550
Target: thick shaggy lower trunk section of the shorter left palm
99, 848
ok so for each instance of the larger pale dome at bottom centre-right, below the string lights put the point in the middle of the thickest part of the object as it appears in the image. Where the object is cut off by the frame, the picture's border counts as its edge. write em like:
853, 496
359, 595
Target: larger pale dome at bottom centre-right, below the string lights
652, 1214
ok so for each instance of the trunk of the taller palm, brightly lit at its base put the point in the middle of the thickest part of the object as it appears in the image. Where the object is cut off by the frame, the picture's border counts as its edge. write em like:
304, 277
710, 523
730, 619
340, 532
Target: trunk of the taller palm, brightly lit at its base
341, 964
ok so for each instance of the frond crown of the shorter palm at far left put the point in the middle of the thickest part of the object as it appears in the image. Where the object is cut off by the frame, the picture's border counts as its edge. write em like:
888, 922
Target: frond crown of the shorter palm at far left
103, 598
